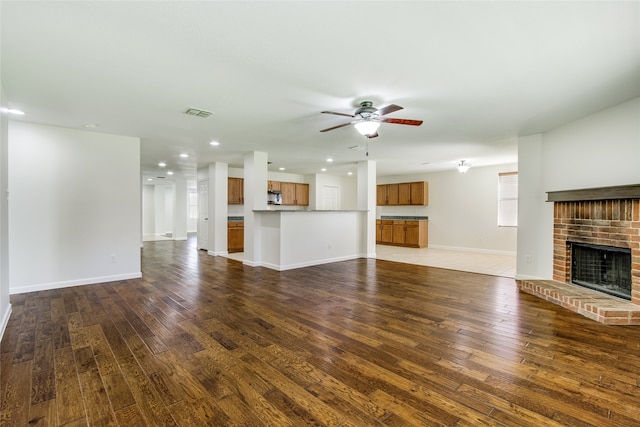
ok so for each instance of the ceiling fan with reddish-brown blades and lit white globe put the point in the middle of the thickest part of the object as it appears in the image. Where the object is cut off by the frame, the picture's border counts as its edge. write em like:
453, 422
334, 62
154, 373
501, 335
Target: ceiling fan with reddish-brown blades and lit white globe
368, 118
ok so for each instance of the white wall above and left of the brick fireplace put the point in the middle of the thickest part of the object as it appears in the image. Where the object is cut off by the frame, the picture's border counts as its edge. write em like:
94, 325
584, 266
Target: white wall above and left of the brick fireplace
599, 150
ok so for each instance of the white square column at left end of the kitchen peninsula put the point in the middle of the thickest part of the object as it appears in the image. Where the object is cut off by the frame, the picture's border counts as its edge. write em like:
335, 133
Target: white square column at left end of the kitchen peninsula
255, 198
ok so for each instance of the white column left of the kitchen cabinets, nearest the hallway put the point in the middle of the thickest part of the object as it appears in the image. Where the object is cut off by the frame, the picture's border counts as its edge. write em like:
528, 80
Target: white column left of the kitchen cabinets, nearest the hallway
218, 177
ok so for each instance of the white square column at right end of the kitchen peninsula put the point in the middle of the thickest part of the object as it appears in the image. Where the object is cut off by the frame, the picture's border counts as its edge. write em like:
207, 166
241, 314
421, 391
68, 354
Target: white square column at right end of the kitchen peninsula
367, 201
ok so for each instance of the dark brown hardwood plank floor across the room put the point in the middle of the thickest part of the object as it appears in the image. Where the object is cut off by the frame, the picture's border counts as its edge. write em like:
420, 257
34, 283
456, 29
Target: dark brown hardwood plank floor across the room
204, 340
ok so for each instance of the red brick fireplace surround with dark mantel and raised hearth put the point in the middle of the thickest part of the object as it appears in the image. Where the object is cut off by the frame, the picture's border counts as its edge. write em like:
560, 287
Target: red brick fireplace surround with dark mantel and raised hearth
607, 217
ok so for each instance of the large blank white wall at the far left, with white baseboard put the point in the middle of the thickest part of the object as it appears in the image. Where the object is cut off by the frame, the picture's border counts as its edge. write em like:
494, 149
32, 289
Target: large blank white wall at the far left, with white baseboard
75, 207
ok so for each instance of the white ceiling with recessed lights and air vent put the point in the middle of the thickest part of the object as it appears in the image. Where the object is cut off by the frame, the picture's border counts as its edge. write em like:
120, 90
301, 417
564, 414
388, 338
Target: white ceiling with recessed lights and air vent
478, 73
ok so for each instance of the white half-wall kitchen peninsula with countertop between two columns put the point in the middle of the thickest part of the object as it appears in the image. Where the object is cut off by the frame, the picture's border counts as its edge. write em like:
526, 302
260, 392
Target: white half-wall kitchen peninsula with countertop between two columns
288, 239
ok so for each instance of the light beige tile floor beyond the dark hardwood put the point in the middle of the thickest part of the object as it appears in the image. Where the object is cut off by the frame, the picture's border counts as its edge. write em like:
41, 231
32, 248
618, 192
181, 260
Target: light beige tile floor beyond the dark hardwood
474, 262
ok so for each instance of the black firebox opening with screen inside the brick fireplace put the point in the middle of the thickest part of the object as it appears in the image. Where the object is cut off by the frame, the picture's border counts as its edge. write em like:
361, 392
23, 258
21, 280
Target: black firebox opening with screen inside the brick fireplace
603, 268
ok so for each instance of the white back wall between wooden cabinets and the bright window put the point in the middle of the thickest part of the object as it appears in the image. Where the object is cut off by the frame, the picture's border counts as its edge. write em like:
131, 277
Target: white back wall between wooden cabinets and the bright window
462, 211
